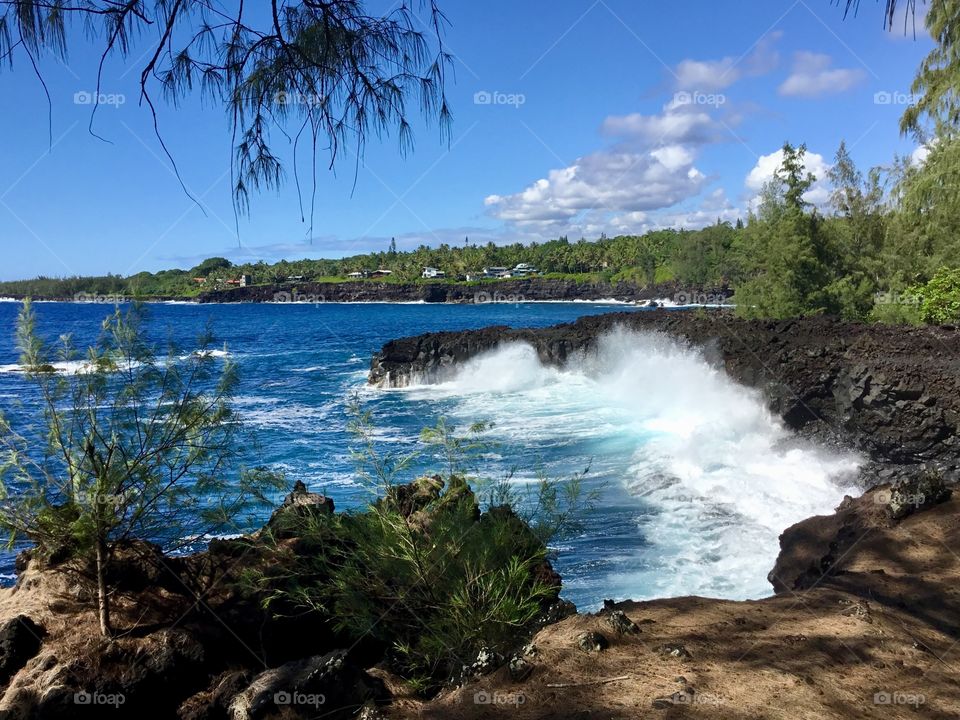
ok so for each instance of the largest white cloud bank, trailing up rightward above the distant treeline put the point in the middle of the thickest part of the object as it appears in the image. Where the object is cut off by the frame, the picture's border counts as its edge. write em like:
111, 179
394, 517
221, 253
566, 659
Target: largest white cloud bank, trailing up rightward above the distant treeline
650, 171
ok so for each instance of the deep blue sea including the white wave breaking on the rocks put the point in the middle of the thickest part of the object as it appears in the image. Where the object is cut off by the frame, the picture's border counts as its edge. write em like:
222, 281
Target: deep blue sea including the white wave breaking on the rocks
696, 479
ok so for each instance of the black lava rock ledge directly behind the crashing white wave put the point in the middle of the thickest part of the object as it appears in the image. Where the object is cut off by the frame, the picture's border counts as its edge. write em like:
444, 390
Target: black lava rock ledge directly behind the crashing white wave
892, 393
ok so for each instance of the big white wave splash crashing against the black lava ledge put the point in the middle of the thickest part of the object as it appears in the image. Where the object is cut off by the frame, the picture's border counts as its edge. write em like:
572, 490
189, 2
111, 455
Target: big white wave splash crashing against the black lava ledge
715, 478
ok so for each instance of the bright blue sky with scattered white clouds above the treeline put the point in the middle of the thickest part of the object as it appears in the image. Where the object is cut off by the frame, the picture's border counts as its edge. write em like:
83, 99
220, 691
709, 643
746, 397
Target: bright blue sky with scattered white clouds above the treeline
570, 117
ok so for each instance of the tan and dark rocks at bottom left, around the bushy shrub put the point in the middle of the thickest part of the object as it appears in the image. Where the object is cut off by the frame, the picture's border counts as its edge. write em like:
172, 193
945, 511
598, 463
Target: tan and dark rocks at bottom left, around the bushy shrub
195, 638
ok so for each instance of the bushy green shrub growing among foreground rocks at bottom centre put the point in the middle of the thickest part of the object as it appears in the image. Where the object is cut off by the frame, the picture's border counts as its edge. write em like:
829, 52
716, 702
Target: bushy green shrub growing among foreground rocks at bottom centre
421, 570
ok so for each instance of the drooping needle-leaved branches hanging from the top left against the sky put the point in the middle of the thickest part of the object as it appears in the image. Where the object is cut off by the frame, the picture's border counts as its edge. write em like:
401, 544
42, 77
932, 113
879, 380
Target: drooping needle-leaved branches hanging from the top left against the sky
329, 73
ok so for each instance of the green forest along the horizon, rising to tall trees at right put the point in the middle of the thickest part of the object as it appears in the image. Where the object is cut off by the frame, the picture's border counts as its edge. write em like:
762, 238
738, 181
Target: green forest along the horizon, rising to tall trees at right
885, 247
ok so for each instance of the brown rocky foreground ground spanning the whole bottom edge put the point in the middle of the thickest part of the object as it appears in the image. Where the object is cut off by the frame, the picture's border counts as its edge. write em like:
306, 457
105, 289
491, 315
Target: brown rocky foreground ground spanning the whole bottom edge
864, 625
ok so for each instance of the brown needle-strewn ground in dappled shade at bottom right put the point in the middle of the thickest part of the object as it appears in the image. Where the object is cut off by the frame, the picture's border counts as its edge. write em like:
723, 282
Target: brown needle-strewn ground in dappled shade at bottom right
875, 639
